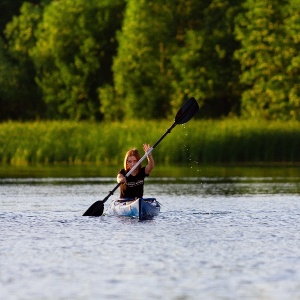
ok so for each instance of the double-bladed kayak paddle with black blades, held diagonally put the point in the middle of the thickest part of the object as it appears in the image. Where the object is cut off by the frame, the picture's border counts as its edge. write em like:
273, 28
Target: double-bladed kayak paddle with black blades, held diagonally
186, 112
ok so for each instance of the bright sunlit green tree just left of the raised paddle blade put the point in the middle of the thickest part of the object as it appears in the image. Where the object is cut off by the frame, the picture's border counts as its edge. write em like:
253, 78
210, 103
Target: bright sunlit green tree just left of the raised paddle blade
142, 72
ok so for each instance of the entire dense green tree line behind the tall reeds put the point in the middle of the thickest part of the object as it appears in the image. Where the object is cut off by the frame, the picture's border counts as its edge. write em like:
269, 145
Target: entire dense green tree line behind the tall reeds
121, 59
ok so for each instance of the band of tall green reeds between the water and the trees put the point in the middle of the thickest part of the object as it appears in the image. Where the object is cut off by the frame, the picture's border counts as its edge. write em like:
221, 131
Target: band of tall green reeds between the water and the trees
228, 141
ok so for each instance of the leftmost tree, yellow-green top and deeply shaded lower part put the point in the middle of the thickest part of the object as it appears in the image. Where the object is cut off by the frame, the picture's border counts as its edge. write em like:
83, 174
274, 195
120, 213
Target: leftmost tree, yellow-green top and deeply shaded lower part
20, 95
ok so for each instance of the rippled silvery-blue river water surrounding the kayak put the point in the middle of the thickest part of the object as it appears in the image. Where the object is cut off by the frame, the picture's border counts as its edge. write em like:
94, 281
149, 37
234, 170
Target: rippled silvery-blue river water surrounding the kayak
215, 238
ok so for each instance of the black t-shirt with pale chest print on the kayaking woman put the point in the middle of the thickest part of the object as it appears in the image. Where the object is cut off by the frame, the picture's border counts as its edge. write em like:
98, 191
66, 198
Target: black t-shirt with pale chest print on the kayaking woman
134, 187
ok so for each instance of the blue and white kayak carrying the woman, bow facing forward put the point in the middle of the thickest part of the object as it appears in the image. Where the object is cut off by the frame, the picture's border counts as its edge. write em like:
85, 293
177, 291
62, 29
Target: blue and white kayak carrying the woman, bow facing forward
141, 208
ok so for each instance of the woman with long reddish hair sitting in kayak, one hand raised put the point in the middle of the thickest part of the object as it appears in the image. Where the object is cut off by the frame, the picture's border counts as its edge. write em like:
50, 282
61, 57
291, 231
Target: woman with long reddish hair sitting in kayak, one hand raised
133, 185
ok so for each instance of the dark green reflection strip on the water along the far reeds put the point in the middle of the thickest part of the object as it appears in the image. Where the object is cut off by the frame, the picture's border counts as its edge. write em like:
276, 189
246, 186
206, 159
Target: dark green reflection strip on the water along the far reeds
204, 186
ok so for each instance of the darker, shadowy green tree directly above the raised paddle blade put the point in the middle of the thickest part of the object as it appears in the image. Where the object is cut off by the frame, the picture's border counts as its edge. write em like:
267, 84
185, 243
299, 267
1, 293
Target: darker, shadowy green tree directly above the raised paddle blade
204, 63
